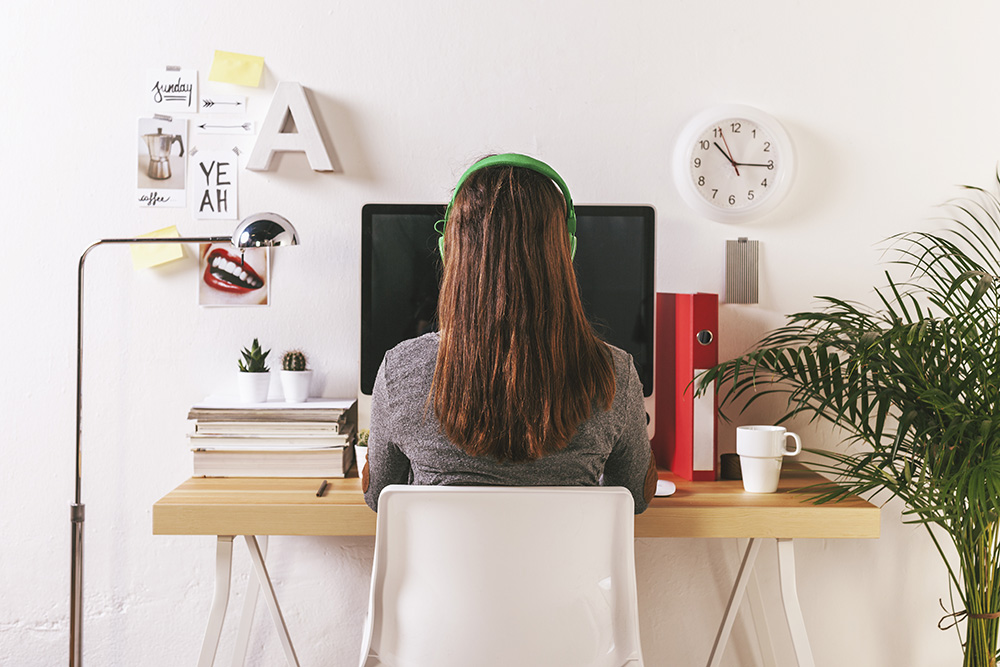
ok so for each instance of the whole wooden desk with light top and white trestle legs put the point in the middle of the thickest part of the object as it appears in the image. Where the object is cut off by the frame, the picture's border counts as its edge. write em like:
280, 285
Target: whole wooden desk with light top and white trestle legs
226, 507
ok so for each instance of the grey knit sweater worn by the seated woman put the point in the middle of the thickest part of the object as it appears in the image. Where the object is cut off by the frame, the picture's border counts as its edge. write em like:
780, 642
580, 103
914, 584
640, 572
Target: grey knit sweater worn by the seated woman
406, 445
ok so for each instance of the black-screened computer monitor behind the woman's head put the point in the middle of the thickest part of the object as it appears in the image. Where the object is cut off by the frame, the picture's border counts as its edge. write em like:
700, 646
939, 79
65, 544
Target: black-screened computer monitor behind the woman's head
401, 272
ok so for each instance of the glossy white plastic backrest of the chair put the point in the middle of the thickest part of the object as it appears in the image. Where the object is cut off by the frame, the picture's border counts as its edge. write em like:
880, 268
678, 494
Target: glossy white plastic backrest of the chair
503, 576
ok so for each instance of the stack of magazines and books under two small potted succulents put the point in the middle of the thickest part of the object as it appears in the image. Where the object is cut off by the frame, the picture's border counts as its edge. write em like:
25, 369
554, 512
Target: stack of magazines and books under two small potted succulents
273, 439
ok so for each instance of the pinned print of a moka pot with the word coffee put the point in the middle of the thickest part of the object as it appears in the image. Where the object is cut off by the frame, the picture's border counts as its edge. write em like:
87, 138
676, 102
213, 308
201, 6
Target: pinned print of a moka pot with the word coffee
161, 162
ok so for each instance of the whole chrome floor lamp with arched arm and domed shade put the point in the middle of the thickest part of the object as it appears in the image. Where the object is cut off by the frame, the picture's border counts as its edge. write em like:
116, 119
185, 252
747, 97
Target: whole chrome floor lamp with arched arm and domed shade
262, 230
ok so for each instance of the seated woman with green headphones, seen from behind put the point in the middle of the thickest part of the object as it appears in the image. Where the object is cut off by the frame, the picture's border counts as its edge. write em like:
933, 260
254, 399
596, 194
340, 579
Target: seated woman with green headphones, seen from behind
515, 389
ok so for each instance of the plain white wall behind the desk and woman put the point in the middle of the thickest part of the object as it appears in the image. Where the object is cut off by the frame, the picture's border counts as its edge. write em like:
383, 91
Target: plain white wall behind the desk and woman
889, 103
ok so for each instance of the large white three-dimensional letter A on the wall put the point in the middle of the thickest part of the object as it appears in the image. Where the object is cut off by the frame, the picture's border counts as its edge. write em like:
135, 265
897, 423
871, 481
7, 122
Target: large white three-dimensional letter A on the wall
290, 102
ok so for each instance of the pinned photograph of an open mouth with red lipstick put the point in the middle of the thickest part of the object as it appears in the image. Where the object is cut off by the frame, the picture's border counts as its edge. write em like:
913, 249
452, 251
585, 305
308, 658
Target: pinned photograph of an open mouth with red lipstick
227, 277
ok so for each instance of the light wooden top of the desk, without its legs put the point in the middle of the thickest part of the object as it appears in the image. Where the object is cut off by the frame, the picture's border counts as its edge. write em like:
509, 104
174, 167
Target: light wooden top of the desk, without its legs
280, 506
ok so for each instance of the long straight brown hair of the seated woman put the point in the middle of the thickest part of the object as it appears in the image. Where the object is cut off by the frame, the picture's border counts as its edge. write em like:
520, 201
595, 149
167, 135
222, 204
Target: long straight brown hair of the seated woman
519, 367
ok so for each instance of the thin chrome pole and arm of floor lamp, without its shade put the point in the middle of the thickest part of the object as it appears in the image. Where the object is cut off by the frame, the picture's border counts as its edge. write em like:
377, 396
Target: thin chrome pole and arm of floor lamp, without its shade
77, 508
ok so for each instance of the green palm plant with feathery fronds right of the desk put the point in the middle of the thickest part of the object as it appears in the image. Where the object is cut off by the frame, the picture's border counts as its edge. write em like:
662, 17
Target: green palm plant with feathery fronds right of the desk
915, 385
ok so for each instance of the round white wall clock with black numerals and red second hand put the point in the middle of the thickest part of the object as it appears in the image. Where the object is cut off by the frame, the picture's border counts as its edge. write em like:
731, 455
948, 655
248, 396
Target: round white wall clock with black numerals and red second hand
733, 163
